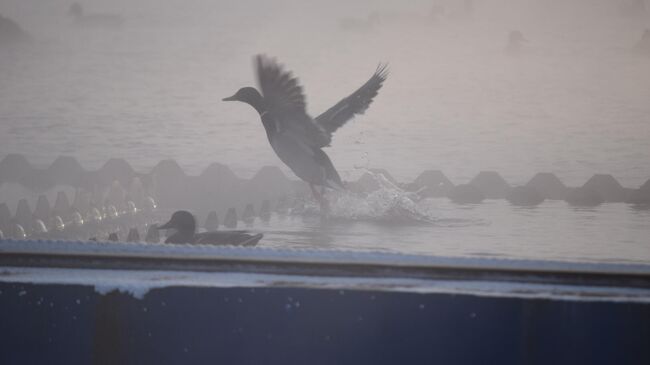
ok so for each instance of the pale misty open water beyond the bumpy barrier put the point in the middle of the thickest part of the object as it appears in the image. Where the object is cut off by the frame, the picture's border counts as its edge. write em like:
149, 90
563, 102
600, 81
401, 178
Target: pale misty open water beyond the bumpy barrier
573, 99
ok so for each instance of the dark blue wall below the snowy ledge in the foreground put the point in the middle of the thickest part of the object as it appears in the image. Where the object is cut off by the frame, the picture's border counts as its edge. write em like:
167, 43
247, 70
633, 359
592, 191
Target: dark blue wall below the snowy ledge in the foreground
68, 324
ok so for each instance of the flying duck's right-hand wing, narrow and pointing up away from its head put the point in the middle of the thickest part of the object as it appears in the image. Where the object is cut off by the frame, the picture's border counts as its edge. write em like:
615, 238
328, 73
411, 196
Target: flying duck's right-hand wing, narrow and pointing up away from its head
357, 103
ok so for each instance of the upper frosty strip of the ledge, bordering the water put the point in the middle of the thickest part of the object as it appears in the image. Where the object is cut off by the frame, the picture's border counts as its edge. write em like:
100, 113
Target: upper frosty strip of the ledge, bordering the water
274, 255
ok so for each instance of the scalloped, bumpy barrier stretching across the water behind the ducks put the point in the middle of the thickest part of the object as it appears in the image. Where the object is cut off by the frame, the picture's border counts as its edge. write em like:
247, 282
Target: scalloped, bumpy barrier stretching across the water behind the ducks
119, 198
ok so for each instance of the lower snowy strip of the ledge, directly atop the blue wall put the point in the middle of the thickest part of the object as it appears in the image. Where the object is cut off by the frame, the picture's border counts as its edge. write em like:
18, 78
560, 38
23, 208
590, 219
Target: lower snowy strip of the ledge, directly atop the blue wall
138, 283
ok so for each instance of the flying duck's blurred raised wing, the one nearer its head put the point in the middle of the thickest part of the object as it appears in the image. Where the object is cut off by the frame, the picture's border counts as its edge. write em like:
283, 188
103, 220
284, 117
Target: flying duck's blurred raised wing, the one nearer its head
285, 101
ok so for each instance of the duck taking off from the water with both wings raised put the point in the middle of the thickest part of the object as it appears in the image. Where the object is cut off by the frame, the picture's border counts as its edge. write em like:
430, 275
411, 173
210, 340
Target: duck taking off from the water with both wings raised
296, 137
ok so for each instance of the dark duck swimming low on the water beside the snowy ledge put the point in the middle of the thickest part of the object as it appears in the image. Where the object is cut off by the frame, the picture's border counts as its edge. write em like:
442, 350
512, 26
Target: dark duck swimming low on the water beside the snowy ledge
185, 225
